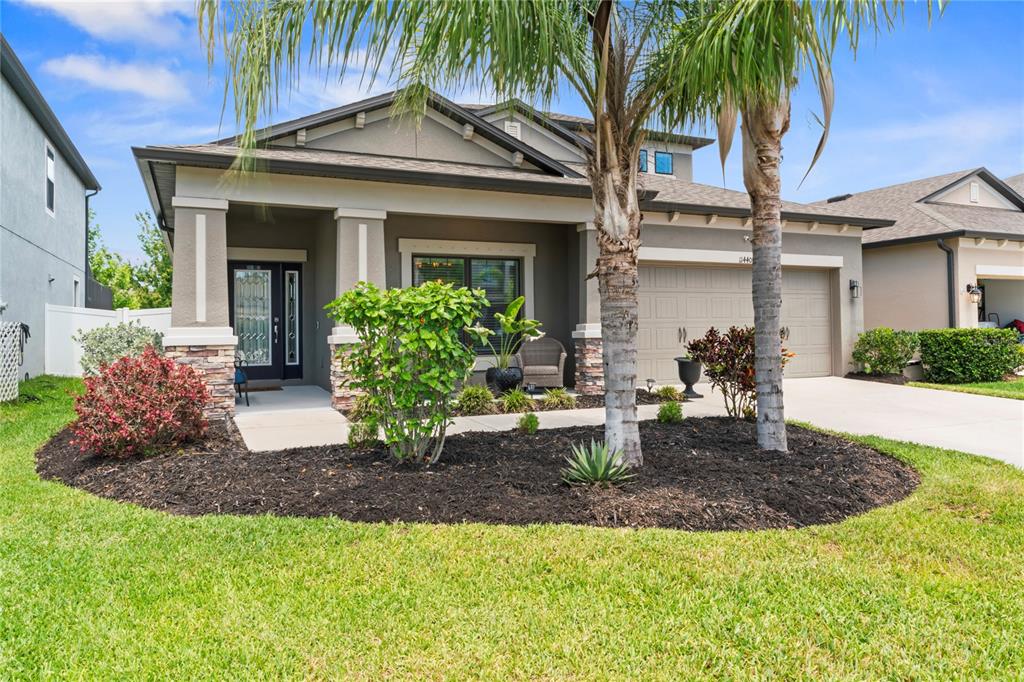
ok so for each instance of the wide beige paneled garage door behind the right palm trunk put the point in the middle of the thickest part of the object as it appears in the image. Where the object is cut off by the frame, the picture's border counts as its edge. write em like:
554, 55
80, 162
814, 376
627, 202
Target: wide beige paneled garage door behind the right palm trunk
679, 303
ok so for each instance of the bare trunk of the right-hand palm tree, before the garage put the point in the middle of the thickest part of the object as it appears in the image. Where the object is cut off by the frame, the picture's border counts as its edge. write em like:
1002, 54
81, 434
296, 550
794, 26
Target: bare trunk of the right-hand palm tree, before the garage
763, 129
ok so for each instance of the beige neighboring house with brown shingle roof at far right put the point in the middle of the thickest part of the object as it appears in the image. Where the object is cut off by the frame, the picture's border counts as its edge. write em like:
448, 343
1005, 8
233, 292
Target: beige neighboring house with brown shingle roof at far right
954, 234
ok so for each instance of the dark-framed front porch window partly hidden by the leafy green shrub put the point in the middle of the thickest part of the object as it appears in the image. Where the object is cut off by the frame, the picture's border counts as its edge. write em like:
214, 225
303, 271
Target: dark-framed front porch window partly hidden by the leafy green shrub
499, 278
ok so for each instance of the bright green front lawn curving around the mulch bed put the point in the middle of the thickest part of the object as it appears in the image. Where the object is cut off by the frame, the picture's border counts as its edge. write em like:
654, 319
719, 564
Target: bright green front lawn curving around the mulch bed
931, 588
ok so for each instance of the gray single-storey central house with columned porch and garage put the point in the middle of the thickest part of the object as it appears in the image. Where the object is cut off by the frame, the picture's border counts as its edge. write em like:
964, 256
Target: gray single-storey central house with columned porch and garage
491, 197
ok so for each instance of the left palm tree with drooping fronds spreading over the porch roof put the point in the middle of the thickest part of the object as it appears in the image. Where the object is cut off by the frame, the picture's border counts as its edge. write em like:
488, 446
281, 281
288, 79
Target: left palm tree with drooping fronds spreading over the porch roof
600, 49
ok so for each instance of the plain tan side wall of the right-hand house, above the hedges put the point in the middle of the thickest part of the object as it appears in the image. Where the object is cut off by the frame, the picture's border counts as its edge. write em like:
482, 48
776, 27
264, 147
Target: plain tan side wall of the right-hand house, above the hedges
906, 287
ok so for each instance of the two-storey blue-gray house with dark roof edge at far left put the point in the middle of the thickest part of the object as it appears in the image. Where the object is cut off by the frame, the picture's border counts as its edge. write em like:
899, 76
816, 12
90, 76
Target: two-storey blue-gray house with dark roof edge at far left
45, 191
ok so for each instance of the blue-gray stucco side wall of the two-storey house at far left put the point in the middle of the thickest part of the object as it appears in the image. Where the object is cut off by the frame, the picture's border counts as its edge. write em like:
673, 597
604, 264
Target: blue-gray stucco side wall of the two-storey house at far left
36, 247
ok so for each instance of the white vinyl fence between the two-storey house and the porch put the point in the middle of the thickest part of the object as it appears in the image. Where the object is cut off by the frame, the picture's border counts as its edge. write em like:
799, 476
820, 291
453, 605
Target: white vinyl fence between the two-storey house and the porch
64, 322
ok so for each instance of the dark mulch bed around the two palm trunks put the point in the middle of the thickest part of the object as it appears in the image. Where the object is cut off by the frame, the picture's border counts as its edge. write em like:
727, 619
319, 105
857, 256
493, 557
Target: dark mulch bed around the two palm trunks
704, 475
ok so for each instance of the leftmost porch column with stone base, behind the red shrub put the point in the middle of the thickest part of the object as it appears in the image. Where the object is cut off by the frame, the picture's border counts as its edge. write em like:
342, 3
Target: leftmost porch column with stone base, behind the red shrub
200, 334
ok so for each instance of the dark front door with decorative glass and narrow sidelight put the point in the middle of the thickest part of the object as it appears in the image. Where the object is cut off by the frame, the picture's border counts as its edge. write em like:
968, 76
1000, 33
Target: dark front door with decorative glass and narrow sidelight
266, 305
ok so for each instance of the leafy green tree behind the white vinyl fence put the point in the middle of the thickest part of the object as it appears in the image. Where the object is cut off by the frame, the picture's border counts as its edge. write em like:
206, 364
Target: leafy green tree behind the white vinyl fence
143, 285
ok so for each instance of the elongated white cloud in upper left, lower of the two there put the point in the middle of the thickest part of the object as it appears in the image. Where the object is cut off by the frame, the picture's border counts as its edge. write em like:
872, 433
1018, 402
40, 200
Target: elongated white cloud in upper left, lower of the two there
150, 81
